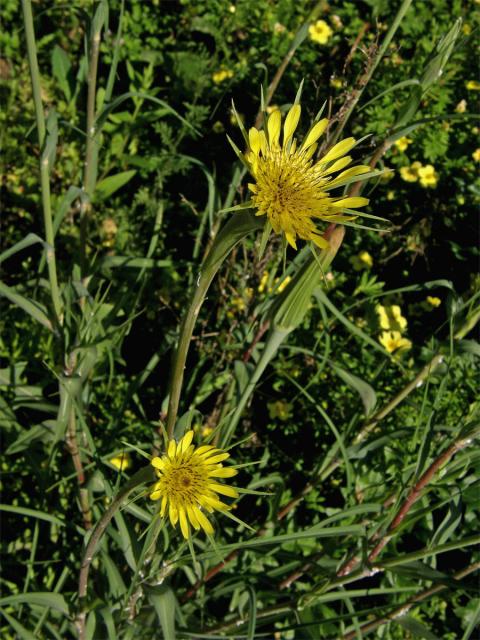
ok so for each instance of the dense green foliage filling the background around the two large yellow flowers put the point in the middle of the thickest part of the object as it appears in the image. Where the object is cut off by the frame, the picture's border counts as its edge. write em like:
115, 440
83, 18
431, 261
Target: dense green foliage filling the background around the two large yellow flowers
326, 416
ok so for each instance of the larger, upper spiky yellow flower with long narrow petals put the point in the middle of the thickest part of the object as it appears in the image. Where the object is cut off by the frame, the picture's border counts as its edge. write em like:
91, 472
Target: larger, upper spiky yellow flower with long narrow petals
290, 188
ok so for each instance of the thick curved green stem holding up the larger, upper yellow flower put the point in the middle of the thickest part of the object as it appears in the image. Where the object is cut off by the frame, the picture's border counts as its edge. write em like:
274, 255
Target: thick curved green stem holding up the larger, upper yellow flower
239, 226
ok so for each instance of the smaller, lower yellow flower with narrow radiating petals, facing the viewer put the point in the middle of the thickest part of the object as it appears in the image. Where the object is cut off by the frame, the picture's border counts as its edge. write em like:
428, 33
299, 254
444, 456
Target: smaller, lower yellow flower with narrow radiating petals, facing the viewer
187, 483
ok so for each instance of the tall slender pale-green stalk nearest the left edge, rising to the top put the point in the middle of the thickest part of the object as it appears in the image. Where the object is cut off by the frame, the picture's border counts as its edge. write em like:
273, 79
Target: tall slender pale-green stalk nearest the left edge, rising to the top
44, 162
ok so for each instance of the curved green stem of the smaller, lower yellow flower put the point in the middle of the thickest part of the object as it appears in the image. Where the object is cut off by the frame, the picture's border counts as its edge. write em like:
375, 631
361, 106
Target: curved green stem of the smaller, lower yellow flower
146, 474
